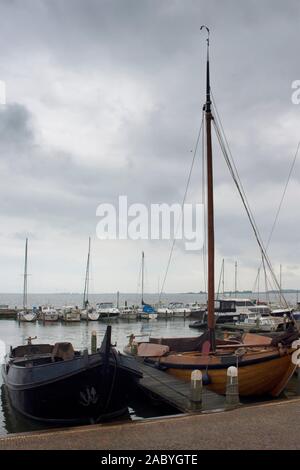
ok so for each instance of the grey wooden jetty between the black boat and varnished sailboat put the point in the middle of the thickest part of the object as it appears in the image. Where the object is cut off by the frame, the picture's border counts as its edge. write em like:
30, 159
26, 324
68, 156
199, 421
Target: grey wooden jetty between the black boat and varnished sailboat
175, 392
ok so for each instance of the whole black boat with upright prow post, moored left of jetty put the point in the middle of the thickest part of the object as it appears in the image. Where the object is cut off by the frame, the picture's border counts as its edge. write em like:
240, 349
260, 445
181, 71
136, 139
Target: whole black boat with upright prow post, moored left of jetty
55, 383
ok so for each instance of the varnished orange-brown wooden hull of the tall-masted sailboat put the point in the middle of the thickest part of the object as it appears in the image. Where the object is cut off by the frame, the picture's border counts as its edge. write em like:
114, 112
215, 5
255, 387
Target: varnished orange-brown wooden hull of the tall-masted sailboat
261, 376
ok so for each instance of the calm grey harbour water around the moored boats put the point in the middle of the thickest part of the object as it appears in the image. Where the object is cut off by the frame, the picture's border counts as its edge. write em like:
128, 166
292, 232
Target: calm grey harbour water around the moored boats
79, 335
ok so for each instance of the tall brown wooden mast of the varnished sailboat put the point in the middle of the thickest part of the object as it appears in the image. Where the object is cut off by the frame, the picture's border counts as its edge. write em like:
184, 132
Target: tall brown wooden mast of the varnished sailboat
210, 209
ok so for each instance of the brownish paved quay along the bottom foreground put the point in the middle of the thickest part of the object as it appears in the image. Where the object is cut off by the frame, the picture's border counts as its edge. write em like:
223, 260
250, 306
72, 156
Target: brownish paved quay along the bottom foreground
272, 425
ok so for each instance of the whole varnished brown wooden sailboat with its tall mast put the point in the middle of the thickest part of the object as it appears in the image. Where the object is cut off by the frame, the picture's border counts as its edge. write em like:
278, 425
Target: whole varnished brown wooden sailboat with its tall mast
264, 365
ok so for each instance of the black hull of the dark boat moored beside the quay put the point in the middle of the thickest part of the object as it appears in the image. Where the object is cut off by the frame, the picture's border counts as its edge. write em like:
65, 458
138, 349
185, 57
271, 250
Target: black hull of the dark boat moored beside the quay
91, 390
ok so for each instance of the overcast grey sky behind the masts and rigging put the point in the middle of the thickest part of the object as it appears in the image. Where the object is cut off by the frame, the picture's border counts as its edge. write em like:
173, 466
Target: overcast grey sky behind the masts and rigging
105, 98
